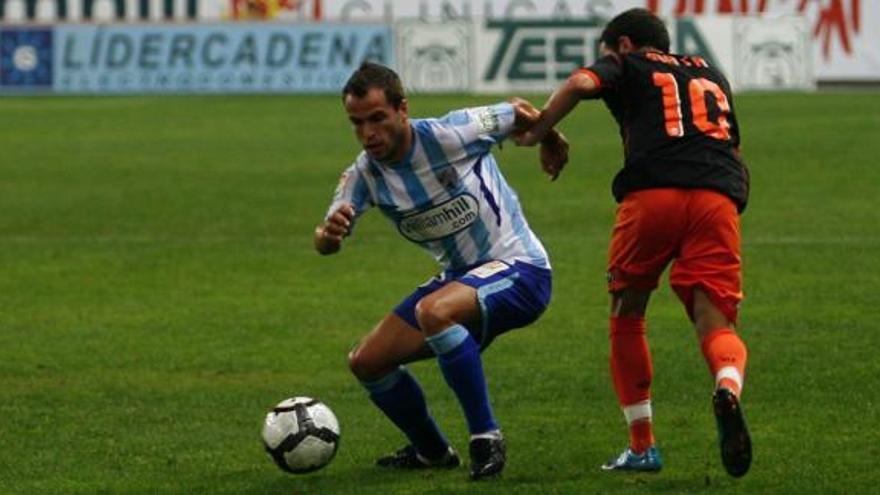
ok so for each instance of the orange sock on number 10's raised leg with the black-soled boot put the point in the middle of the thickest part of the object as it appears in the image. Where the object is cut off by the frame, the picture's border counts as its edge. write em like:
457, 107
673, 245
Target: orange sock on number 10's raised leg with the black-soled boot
725, 354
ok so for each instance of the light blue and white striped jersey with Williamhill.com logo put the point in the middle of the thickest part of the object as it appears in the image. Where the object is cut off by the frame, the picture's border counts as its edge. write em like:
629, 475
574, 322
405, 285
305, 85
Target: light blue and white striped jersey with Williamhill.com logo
448, 194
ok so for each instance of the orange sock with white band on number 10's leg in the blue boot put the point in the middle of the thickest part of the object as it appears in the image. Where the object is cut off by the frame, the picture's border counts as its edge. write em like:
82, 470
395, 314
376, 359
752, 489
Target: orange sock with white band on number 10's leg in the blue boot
632, 371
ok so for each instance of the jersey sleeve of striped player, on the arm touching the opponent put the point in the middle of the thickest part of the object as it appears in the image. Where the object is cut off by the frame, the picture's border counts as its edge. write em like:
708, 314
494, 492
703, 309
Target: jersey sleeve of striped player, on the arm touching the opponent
481, 125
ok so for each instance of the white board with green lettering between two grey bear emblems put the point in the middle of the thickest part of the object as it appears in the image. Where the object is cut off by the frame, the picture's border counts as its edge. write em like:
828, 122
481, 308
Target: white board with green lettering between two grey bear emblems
534, 55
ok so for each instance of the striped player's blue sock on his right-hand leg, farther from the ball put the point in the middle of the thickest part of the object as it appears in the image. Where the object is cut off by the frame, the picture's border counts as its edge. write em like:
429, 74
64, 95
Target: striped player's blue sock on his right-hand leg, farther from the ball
459, 358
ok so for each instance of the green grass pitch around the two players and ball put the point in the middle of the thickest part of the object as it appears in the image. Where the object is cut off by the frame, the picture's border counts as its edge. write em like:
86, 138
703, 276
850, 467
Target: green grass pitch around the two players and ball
159, 292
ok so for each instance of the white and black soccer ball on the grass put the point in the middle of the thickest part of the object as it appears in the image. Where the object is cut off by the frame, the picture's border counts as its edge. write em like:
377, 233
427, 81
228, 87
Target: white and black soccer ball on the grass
301, 434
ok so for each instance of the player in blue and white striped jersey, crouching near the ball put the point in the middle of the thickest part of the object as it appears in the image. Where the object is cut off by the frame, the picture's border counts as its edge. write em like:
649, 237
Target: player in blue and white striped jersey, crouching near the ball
438, 182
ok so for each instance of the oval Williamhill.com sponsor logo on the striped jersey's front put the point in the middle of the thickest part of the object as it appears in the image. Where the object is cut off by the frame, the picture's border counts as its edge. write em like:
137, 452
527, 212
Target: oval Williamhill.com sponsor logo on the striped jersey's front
443, 220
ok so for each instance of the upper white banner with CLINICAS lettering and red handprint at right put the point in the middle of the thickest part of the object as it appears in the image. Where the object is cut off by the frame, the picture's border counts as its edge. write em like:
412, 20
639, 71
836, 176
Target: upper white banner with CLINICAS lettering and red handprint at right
845, 34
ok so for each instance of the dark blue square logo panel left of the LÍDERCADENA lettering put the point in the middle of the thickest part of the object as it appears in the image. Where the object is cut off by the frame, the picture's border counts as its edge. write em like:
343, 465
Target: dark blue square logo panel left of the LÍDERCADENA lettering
26, 58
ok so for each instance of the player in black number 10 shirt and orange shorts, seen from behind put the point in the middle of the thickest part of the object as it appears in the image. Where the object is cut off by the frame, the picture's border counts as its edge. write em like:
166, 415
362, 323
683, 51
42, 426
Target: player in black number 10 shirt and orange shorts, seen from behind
681, 190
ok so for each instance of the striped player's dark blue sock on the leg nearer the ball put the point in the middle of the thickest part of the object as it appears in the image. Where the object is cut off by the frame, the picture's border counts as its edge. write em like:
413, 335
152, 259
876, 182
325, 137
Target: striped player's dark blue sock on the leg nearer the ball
399, 396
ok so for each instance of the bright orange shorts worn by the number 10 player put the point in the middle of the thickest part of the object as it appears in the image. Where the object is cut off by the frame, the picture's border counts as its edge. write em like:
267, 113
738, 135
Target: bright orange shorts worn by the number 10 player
696, 229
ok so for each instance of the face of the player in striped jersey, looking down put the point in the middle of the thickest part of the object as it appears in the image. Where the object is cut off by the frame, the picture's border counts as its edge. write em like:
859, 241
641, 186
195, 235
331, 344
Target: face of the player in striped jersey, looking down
380, 128
